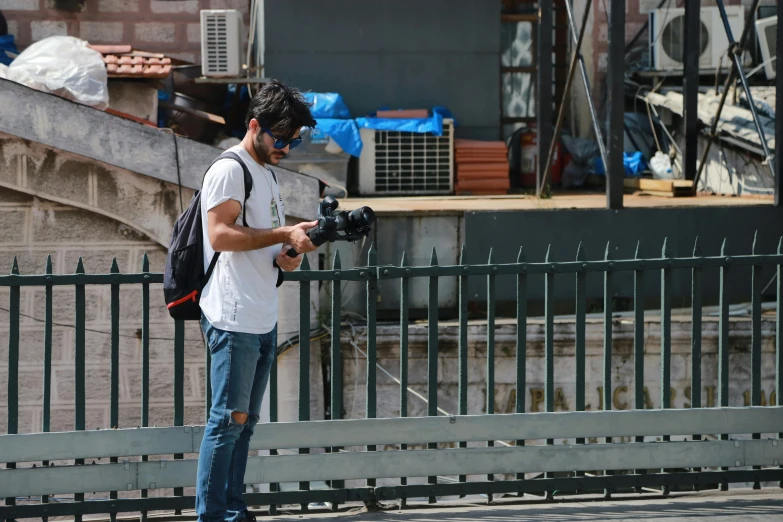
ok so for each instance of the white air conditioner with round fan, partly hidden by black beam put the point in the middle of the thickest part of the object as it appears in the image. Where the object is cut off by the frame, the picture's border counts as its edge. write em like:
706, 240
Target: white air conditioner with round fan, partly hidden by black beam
666, 30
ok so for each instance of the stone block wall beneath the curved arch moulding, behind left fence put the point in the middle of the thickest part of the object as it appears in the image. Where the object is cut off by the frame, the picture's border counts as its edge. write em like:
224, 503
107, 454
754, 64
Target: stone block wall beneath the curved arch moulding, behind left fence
36, 229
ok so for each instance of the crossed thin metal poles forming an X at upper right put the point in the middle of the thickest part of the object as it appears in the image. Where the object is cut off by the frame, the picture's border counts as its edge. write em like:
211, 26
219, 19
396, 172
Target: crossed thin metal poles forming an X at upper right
736, 67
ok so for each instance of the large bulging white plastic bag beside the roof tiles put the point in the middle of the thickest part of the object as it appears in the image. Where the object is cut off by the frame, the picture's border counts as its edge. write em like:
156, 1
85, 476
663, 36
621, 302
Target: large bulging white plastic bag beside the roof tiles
65, 66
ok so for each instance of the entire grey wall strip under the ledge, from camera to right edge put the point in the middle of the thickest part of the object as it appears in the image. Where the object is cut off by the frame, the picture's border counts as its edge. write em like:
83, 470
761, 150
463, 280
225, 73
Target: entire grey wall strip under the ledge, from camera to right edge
564, 230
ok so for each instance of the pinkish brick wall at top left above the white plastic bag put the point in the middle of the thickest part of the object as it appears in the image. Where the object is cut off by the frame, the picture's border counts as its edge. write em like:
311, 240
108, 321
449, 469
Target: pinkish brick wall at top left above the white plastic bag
166, 26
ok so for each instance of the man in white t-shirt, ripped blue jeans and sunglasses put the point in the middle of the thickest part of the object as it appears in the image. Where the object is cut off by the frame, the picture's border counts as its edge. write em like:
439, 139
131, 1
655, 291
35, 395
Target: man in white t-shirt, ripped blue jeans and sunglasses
239, 302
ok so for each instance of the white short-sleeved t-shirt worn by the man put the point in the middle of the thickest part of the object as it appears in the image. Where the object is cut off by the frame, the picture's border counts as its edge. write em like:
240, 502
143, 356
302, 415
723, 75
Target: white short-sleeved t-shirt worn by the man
241, 295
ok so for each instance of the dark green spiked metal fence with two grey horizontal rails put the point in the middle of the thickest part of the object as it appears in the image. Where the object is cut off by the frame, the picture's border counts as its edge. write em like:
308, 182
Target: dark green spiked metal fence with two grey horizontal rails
638, 464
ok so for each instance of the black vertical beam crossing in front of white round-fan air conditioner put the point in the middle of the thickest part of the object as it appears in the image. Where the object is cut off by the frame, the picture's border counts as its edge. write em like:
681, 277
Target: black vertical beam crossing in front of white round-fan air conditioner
690, 86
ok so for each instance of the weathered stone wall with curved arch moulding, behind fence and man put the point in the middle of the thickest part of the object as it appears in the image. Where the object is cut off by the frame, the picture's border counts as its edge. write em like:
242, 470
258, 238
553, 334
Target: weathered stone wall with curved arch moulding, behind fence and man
59, 204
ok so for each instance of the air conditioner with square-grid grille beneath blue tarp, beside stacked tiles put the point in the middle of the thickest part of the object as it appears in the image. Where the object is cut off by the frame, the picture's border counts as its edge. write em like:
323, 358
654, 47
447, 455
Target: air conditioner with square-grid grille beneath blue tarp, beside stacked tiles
399, 163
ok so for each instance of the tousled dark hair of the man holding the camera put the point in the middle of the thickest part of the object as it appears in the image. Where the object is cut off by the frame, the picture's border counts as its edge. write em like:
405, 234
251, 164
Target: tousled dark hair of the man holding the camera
281, 109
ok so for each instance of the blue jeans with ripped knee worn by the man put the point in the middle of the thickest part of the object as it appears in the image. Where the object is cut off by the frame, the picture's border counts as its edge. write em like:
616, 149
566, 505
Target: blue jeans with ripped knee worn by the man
240, 371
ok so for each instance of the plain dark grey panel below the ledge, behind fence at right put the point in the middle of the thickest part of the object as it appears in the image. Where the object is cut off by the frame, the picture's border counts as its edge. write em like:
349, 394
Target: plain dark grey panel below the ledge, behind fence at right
505, 232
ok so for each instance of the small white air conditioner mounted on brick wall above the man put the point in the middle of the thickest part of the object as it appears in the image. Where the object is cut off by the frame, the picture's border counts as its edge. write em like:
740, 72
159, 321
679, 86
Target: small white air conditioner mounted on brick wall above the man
221, 42
